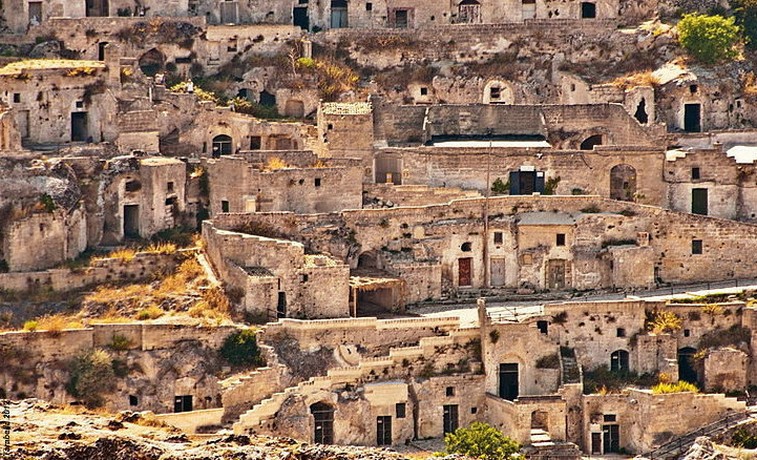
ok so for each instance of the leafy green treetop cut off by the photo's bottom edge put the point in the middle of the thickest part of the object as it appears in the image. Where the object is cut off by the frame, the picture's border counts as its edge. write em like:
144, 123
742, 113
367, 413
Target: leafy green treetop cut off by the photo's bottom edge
483, 441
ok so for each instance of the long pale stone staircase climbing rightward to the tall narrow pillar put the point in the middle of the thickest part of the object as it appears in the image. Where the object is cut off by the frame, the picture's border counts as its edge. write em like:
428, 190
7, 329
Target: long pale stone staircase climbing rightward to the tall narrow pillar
369, 369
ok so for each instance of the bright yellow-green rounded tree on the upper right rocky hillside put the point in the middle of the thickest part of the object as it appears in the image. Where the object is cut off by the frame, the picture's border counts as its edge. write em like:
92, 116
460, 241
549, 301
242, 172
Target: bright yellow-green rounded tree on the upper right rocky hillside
709, 38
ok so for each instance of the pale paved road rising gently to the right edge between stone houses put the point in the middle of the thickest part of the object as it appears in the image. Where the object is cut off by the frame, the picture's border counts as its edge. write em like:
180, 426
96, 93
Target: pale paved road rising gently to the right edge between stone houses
519, 309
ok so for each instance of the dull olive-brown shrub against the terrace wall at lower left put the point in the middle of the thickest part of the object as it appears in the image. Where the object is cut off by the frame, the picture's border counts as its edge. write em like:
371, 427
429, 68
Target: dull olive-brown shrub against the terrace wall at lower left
92, 375
